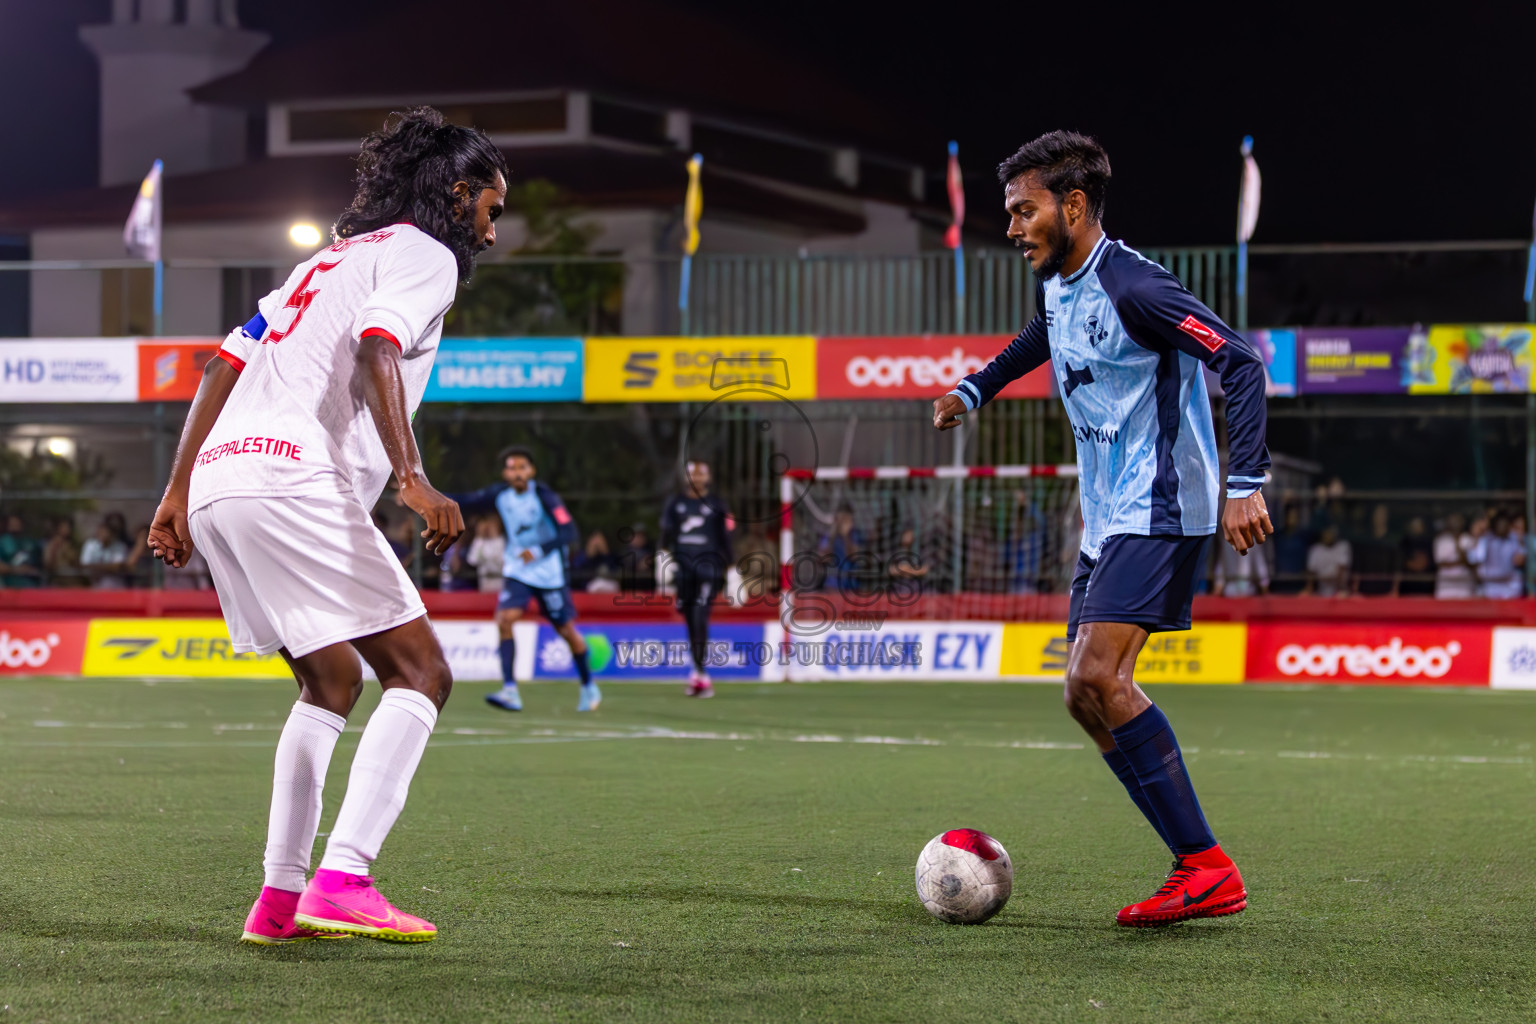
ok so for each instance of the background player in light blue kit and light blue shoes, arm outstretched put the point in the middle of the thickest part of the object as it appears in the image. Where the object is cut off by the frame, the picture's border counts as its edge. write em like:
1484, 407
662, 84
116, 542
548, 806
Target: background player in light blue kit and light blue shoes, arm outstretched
538, 530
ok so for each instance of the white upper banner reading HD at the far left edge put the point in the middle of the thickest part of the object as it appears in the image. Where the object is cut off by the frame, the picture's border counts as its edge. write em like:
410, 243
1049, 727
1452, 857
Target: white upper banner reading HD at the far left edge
70, 371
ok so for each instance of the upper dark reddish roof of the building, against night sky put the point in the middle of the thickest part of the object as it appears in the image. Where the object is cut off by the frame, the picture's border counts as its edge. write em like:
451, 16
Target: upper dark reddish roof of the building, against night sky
643, 50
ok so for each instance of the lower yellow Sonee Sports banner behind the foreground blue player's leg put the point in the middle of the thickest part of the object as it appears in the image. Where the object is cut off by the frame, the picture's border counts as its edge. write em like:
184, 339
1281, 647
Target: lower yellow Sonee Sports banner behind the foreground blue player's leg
1211, 653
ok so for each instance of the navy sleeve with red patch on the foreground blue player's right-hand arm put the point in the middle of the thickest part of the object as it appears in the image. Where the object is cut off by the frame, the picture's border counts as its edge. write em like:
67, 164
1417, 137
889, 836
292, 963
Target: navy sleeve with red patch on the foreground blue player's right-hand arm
1159, 311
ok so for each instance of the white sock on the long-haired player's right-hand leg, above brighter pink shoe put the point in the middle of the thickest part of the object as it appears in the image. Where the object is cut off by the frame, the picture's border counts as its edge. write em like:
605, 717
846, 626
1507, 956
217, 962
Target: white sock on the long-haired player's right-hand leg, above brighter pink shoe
388, 756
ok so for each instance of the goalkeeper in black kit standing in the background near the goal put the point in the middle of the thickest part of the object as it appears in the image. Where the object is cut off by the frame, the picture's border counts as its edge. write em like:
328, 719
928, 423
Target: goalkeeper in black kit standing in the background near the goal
697, 530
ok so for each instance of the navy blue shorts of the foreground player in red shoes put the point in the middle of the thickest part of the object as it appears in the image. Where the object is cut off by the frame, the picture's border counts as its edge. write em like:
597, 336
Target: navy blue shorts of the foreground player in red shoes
1145, 581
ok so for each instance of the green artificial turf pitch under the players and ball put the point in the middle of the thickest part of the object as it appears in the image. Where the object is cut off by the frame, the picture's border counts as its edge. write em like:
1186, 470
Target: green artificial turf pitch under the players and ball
750, 859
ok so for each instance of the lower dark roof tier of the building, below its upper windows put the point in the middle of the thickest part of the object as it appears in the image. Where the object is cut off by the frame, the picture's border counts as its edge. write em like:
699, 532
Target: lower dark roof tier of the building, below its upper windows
323, 187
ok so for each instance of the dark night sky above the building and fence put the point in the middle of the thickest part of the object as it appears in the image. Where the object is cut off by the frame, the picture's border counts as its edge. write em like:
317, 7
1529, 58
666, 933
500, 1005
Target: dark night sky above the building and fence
1368, 130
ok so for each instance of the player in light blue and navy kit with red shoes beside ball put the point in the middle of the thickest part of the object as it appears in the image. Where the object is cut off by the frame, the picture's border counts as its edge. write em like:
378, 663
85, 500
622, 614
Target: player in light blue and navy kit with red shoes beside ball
1128, 345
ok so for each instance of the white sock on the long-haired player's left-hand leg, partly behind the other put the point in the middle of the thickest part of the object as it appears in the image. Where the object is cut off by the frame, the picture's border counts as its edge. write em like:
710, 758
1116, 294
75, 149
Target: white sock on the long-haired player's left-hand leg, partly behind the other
297, 784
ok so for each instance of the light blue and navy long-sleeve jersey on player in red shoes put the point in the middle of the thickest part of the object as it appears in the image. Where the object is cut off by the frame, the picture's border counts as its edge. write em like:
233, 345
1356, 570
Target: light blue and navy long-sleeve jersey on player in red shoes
1127, 342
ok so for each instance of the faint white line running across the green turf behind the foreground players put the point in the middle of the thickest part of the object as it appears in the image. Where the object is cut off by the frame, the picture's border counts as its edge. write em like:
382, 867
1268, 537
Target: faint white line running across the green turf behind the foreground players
465, 738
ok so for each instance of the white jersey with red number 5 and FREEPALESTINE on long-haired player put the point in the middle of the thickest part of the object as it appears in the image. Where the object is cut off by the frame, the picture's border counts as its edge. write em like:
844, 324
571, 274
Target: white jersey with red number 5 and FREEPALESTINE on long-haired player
297, 421
